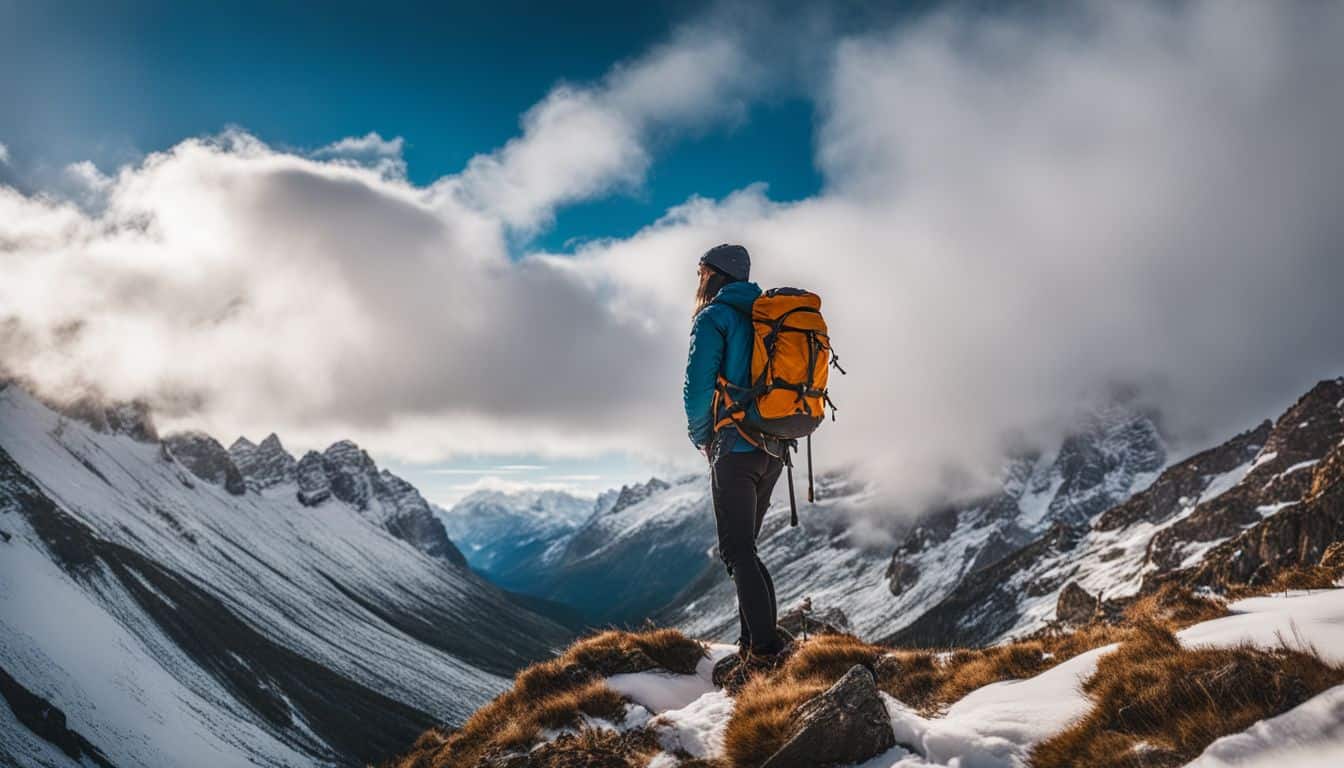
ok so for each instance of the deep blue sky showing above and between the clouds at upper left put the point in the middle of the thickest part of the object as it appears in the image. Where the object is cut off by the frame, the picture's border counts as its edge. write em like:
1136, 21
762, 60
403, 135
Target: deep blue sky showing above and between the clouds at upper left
112, 81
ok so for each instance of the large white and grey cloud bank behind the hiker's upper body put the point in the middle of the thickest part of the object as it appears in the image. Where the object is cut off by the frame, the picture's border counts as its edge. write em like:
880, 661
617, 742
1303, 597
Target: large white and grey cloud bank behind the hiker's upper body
1021, 220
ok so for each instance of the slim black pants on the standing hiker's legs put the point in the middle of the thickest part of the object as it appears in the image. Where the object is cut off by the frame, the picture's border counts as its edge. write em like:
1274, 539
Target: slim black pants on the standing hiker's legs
743, 485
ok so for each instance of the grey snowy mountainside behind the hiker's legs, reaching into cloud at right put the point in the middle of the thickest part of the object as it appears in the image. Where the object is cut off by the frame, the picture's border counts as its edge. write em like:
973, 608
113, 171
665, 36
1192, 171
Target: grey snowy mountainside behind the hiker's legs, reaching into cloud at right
1112, 455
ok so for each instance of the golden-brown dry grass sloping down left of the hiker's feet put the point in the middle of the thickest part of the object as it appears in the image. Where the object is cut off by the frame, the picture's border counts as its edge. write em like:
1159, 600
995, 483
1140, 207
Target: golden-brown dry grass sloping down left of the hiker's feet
556, 695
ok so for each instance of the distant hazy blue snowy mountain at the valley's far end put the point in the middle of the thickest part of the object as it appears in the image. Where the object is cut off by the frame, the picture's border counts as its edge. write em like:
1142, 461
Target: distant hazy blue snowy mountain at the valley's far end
514, 537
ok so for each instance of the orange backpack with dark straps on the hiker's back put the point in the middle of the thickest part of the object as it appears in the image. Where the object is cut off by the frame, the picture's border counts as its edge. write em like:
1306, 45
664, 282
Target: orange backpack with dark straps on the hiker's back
791, 360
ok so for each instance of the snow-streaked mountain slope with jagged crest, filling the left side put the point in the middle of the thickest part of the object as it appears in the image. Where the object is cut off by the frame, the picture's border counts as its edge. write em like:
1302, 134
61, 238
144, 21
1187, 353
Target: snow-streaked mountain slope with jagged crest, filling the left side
171, 603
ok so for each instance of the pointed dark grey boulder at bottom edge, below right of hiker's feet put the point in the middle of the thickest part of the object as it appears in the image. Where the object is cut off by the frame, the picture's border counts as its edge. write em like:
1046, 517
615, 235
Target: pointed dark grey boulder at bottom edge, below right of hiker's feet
845, 726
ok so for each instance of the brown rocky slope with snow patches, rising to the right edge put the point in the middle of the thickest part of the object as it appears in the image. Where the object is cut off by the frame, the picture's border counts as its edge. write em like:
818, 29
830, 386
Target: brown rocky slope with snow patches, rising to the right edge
1212, 519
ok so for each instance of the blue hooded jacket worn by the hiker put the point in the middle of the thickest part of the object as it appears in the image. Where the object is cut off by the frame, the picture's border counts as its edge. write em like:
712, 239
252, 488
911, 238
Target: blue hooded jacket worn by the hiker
721, 344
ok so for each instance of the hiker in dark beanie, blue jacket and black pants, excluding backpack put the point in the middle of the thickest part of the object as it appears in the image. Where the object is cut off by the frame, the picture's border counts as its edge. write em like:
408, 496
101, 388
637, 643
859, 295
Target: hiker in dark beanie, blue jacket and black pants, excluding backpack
743, 475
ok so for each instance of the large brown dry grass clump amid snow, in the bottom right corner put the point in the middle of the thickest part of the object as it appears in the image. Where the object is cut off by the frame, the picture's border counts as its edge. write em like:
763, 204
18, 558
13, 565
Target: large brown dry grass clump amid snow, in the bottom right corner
1158, 704
